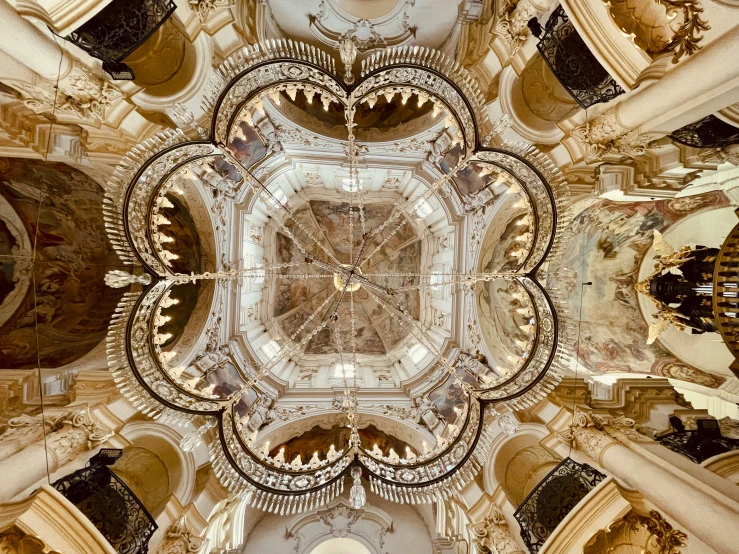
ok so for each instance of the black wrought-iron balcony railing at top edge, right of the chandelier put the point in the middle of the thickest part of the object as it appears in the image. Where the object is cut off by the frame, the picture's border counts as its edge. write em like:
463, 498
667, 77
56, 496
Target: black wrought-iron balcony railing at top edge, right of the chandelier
573, 63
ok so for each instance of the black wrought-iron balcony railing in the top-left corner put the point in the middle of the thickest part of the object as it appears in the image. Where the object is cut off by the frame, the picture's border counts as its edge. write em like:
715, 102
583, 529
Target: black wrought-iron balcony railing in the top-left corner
120, 28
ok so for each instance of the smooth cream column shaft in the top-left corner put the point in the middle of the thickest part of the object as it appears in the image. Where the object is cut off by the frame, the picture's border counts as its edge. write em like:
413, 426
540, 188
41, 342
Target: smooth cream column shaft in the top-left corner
30, 46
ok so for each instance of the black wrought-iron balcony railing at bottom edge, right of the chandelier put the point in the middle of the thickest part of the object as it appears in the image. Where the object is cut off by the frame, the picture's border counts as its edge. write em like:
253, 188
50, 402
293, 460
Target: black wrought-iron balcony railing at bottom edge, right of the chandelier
554, 498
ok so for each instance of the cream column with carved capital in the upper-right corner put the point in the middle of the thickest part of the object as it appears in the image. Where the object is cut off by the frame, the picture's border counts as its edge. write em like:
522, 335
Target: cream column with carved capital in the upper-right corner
704, 83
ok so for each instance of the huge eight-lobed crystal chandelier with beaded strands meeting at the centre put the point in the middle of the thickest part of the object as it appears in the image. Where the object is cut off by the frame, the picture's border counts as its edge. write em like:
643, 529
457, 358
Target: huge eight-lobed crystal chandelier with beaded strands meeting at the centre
142, 369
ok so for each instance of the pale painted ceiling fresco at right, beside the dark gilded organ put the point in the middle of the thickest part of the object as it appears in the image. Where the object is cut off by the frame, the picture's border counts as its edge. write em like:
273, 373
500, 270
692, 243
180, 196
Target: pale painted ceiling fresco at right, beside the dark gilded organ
610, 240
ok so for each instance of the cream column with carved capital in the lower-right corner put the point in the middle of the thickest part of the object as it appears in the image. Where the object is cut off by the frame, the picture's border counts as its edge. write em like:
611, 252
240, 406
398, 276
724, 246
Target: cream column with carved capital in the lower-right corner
697, 509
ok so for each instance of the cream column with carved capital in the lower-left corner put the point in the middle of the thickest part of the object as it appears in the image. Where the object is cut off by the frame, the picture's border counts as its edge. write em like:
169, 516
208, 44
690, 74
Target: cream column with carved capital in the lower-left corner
78, 434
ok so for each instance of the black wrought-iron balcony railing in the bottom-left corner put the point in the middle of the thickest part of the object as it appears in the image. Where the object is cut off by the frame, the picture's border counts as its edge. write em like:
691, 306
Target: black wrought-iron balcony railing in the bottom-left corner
109, 504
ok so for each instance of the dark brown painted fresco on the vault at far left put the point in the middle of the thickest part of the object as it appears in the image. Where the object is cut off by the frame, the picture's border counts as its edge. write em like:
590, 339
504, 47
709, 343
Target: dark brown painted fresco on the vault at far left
61, 209
